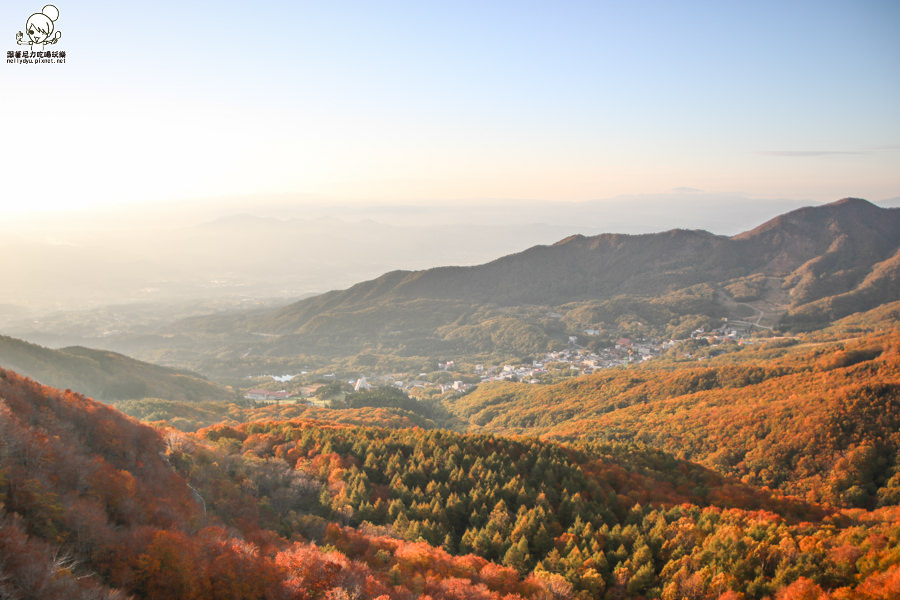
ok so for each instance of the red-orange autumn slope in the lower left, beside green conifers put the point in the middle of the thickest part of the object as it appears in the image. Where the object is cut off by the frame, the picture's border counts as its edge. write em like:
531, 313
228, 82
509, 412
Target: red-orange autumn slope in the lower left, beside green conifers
92, 506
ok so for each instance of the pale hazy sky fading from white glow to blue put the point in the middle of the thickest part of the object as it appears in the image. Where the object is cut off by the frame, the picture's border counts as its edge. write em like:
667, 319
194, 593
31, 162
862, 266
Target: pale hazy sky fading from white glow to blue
430, 101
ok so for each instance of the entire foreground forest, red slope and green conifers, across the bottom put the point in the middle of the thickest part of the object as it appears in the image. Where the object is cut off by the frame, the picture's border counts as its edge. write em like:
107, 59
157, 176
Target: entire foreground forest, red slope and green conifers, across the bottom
97, 505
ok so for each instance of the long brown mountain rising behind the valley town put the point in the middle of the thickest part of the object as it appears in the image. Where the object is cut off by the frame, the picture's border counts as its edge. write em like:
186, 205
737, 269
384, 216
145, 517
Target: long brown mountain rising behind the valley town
808, 267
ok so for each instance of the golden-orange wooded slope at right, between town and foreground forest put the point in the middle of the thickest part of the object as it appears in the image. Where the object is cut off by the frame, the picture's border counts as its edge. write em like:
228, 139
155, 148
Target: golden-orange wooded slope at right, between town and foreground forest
818, 419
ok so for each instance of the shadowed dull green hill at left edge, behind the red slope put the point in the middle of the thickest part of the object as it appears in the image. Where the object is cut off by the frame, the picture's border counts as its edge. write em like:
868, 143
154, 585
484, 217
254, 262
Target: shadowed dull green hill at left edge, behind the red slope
105, 376
